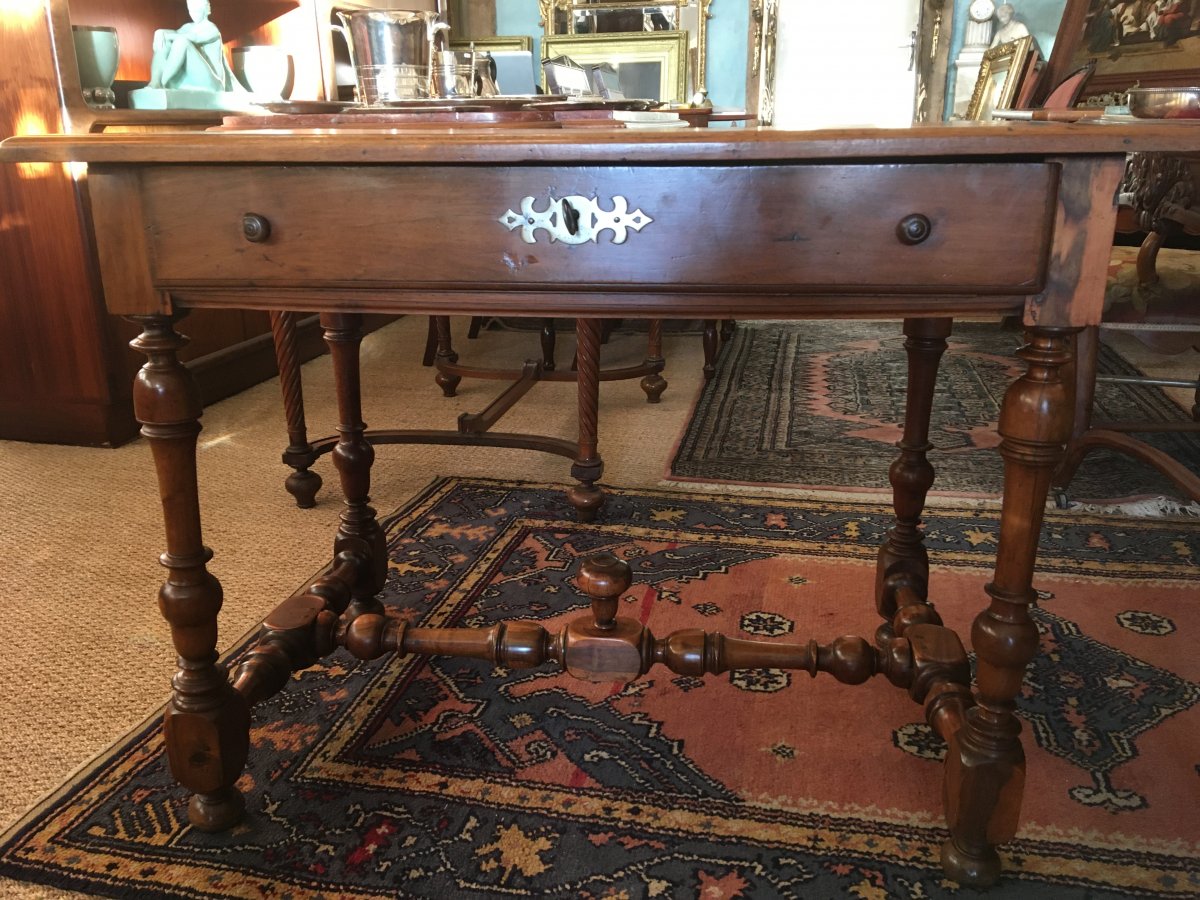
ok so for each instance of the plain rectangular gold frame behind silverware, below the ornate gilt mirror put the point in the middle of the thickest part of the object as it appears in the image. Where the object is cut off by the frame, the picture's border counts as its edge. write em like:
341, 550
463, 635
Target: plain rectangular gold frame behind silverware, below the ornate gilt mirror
649, 63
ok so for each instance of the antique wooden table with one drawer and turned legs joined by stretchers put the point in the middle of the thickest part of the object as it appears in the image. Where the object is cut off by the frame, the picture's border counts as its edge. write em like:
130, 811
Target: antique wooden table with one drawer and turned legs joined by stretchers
920, 225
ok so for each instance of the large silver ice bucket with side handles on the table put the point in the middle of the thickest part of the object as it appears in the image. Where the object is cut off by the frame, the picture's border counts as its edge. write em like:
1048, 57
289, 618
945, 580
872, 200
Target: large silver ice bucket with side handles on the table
393, 52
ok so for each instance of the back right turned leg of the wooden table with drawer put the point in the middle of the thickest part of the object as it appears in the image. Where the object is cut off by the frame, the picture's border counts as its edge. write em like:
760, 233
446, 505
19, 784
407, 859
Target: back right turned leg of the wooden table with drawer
902, 573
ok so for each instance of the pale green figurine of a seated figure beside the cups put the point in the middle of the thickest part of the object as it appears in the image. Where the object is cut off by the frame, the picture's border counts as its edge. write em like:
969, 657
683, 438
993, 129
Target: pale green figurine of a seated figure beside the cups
189, 68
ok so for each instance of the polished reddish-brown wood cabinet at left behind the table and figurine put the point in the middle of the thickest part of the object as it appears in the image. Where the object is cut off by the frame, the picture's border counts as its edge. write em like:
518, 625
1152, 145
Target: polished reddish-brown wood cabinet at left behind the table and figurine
65, 365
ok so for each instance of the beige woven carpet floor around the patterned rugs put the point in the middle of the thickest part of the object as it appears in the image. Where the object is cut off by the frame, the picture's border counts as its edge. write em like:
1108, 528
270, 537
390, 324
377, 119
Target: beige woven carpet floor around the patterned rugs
87, 655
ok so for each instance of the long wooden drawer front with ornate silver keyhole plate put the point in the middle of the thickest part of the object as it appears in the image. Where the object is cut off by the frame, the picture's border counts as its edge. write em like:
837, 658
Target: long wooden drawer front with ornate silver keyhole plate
915, 229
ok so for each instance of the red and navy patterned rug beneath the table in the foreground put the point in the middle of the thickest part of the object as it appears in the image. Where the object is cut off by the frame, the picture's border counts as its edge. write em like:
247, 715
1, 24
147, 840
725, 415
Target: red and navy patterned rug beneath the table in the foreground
453, 779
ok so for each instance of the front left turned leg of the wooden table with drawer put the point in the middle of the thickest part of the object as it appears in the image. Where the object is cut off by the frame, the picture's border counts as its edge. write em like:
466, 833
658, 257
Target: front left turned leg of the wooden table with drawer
207, 724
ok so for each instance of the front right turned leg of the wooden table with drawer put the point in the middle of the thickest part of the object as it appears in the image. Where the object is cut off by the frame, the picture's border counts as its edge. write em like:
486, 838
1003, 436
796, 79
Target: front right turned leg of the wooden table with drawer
986, 764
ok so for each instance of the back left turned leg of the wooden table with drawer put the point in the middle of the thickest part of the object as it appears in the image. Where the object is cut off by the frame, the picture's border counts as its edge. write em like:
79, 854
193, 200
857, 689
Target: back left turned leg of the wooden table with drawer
359, 532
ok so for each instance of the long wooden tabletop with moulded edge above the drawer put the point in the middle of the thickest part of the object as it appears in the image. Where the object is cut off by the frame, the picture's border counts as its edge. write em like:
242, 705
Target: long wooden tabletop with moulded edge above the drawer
681, 146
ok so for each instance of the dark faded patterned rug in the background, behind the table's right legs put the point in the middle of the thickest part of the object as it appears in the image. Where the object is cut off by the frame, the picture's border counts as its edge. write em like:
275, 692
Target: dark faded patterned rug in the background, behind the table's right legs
821, 405
